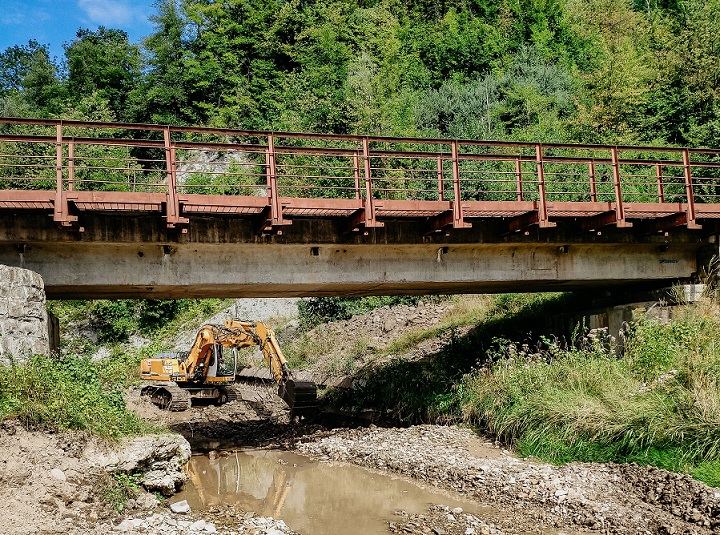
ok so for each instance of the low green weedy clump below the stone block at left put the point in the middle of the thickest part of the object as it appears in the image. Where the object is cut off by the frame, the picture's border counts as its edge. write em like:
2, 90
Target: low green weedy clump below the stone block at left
66, 393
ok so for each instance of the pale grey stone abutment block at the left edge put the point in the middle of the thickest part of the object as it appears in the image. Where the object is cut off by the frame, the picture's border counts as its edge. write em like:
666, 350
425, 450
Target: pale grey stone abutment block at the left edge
23, 316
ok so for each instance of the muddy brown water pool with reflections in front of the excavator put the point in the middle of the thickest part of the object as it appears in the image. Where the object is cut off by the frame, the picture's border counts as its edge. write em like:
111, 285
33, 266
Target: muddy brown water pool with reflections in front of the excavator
311, 497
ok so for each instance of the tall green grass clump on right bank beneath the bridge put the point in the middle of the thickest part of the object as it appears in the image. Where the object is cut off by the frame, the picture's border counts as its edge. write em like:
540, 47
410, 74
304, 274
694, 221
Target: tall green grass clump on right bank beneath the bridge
657, 404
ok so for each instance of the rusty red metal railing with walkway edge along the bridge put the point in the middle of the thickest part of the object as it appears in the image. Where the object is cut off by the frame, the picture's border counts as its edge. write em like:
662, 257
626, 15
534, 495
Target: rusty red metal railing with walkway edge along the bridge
72, 167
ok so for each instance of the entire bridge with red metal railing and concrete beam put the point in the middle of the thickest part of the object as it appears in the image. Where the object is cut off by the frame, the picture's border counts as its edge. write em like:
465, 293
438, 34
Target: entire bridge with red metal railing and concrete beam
132, 210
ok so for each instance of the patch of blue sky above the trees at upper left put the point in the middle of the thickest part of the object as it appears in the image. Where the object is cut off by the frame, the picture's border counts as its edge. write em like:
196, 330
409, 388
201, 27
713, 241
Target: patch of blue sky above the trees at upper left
54, 22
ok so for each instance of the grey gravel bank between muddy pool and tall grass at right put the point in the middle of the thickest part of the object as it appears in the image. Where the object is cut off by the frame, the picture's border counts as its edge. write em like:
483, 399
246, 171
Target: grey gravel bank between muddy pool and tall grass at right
610, 498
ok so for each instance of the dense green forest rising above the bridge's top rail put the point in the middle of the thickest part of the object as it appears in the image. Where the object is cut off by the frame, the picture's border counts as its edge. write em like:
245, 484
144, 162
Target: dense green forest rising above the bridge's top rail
613, 71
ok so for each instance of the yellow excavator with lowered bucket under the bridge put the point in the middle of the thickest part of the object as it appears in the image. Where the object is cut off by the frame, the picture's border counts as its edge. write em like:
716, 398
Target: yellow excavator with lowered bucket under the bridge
207, 372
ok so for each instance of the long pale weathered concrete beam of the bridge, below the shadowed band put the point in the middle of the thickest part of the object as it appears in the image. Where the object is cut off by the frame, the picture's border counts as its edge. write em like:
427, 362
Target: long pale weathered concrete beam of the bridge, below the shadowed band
122, 270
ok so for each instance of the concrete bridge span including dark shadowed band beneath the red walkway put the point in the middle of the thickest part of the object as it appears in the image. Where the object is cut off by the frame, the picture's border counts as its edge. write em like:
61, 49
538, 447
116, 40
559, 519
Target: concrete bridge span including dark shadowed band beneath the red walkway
135, 257
